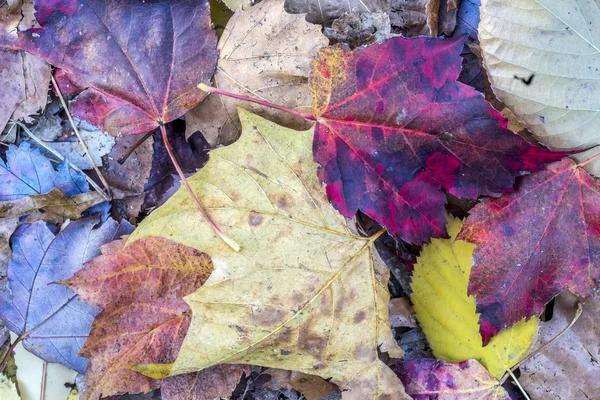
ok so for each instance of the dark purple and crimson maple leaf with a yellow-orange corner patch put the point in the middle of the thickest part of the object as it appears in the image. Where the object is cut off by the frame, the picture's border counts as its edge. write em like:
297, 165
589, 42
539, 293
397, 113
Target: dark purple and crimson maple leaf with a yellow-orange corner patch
395, 131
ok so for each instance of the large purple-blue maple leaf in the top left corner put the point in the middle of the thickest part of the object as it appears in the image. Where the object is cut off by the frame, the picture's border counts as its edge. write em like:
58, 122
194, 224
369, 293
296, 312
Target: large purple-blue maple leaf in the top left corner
135, 79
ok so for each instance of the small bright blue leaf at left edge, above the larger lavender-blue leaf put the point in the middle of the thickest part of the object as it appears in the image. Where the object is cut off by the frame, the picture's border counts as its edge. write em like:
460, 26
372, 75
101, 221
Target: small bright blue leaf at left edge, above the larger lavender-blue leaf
27, 172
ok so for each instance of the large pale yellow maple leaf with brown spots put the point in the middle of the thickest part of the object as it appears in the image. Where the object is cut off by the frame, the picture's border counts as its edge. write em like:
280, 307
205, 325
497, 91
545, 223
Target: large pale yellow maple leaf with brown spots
334, 318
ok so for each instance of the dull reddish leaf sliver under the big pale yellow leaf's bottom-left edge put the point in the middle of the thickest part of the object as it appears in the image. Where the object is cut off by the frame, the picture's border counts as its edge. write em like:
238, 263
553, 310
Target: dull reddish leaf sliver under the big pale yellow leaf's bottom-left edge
214, 383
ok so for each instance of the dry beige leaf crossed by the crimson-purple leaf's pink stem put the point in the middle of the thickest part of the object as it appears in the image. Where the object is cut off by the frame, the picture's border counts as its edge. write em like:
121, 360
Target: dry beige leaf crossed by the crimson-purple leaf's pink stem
264, 53
